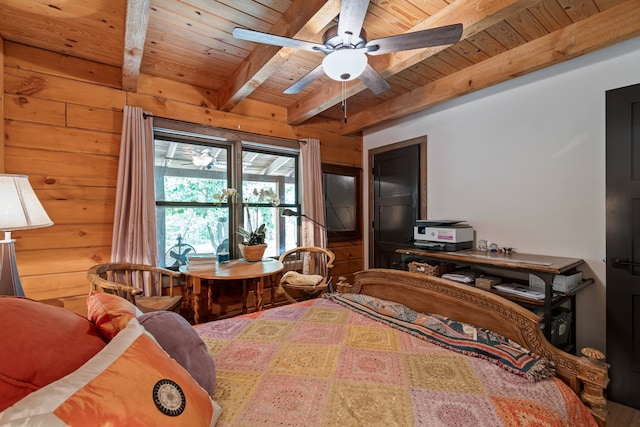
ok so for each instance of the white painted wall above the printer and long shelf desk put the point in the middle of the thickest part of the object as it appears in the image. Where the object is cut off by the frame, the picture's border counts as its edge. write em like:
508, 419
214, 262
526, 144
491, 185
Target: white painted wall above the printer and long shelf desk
524, 163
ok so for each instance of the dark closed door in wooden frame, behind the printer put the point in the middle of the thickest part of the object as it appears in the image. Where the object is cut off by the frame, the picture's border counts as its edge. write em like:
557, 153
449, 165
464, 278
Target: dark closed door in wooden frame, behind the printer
396, 203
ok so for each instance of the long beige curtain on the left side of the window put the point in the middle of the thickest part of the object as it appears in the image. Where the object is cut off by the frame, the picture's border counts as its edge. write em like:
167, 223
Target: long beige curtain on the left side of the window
134, 225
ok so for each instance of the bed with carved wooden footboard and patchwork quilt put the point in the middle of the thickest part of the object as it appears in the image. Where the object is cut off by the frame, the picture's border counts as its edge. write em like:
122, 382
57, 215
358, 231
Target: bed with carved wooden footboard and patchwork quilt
329, 361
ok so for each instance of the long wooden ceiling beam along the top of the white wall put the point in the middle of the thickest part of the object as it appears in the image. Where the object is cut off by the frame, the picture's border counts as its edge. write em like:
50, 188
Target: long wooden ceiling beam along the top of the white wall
619, 23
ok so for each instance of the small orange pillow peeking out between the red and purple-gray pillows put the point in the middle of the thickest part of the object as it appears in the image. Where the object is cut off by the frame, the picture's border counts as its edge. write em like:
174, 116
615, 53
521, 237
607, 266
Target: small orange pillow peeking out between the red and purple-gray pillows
110, 313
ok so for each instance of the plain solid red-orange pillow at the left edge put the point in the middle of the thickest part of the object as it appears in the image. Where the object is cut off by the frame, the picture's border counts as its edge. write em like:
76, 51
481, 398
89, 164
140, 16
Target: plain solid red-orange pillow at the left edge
39, 344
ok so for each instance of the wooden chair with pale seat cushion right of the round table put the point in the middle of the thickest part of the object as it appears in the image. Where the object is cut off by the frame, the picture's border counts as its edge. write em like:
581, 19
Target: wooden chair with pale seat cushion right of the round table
306, 271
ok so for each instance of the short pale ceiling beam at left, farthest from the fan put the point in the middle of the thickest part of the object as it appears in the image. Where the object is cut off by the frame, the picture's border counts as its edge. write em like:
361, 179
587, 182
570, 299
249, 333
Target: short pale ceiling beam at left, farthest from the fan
134, 37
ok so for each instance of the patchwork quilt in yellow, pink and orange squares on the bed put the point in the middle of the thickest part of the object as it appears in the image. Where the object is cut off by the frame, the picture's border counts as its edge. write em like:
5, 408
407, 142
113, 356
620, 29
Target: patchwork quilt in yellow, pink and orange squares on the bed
320, 363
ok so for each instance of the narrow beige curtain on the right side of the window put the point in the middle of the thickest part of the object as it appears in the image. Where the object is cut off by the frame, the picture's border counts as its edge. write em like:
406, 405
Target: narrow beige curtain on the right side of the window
312, 194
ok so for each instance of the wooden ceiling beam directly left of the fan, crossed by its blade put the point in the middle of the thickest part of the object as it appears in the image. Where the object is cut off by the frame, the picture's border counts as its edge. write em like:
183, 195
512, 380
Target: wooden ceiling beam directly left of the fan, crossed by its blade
303, 20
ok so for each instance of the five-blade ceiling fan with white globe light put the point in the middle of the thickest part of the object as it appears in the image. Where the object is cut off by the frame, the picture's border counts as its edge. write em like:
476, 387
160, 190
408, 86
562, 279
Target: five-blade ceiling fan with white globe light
346, 47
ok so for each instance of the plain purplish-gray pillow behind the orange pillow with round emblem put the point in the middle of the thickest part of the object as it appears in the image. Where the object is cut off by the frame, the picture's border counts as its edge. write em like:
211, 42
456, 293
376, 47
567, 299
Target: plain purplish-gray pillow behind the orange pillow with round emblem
178, 338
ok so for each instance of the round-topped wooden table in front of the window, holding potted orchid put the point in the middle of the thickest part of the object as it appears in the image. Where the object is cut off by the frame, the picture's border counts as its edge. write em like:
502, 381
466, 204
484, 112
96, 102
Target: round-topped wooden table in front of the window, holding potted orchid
236, 269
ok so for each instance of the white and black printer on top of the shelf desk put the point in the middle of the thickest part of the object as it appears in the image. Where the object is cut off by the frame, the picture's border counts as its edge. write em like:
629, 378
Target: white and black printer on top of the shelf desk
442, 235
